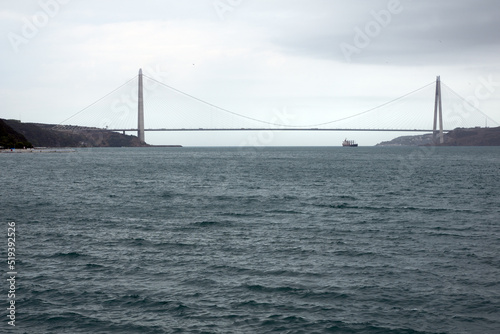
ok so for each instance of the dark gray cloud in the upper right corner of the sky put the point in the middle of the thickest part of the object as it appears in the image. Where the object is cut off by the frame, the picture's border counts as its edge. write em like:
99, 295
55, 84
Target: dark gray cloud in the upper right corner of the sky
429, 32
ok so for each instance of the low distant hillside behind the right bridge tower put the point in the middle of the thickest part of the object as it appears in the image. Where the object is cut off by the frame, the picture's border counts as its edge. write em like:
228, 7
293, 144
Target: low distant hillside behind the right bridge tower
457, 137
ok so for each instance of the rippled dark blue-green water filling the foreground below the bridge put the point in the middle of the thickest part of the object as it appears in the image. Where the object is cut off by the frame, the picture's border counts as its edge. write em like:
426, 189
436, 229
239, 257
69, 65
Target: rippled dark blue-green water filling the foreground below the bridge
257, 240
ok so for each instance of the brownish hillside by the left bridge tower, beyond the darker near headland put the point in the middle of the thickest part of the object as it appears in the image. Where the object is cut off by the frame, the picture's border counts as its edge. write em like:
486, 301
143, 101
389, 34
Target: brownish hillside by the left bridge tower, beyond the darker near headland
48, 135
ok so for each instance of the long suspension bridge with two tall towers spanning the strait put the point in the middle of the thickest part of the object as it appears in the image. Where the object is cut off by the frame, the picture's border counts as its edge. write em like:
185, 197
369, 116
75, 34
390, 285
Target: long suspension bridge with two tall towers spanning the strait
123, 110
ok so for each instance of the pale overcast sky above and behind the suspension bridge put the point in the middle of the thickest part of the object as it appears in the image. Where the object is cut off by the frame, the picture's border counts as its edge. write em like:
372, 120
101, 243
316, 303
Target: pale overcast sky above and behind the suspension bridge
313, 61
